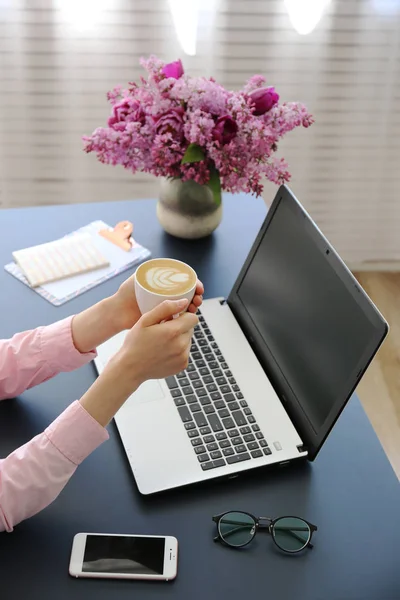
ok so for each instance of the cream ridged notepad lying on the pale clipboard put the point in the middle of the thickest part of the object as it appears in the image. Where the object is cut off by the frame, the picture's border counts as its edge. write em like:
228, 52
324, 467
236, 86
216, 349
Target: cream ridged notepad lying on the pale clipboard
62, 258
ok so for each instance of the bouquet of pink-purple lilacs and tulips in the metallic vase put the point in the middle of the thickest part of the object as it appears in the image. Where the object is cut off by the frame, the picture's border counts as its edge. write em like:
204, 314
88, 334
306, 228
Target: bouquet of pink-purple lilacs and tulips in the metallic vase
191, 128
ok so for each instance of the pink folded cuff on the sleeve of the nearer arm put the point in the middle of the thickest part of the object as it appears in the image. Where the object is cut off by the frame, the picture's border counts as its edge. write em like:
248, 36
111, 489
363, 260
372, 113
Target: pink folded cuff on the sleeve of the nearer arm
75, 433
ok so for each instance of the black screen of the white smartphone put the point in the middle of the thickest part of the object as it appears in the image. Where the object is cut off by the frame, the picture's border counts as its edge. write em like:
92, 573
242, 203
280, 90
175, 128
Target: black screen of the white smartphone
120, 554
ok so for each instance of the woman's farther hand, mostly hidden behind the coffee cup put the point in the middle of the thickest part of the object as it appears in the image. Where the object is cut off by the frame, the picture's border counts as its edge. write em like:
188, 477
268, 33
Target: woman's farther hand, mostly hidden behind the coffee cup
127, 311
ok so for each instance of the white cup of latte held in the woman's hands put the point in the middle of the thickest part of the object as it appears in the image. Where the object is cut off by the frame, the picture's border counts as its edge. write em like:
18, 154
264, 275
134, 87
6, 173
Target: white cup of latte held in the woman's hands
161, 279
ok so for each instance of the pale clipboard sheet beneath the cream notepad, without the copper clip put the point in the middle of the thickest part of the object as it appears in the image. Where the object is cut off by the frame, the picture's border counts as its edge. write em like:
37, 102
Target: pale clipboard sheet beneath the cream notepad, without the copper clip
59, 292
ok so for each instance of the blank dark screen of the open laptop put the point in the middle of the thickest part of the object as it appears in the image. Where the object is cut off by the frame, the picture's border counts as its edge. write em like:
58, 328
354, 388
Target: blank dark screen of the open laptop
311, 323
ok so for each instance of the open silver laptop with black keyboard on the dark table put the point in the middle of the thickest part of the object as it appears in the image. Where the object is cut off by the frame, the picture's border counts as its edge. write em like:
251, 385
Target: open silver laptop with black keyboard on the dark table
271, 367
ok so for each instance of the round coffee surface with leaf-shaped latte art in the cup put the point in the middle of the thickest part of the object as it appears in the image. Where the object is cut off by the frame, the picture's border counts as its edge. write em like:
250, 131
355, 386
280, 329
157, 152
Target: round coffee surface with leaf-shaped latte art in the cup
165, 276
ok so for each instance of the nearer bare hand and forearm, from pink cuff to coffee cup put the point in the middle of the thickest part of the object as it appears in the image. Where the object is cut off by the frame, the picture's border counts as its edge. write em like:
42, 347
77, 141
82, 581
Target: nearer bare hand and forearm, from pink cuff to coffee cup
156, 347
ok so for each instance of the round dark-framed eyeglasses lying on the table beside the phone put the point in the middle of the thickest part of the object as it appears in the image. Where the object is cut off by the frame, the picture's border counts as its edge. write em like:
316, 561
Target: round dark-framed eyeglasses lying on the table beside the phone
290, 534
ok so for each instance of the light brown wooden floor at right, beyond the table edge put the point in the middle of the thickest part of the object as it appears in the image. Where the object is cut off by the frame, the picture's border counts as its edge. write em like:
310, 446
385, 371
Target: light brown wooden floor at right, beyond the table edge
379, 390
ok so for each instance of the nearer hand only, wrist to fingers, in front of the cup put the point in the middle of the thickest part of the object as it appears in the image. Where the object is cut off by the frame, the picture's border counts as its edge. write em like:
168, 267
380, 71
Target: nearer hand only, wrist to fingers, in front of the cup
158, 346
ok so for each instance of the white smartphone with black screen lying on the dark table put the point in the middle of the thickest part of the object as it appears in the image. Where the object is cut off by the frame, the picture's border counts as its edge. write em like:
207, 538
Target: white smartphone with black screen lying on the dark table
116, 556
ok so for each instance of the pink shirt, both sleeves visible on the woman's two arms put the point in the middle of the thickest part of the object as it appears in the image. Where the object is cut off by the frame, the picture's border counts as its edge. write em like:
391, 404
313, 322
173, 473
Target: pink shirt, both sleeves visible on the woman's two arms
32, 476
